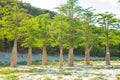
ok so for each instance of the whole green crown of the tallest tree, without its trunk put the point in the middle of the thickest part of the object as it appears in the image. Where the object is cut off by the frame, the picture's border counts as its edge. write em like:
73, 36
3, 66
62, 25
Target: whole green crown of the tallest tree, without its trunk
70, 9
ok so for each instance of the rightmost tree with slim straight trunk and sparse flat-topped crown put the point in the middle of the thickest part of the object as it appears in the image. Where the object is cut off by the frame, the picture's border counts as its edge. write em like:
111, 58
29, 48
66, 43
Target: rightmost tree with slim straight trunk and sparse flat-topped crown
107, 20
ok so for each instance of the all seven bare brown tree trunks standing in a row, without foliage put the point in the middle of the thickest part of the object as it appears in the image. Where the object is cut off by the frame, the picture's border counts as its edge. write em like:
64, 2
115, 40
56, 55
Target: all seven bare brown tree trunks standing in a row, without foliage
13, 61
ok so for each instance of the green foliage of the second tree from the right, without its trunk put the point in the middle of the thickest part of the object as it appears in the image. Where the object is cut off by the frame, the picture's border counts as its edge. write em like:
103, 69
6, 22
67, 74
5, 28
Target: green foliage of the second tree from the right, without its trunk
89, 32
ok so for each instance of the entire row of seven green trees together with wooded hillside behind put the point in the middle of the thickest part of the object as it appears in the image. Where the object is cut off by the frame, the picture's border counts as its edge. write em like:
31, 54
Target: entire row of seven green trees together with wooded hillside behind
74, 30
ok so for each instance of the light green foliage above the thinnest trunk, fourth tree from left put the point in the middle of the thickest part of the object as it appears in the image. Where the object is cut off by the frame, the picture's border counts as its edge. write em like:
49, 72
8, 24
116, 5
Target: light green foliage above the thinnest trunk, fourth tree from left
58, 28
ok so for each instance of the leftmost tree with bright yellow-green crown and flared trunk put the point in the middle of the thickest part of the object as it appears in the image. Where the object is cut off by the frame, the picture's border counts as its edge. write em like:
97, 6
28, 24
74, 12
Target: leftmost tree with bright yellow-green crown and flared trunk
11, 19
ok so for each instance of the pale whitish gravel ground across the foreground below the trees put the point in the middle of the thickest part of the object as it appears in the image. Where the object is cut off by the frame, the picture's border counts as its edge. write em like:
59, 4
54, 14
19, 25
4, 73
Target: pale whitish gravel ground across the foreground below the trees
50, 72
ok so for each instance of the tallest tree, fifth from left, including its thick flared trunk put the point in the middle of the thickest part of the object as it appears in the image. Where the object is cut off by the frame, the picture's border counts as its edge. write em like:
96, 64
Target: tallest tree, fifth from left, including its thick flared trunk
71, 10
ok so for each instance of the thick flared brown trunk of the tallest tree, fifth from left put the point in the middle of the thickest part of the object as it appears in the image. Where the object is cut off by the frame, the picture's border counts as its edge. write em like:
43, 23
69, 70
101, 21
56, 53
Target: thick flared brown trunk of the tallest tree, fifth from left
71, 56
